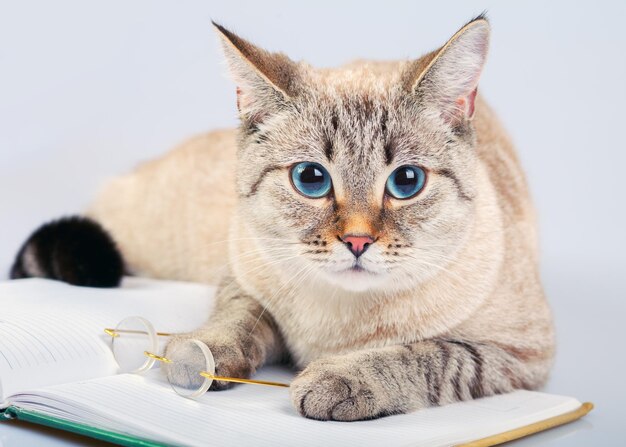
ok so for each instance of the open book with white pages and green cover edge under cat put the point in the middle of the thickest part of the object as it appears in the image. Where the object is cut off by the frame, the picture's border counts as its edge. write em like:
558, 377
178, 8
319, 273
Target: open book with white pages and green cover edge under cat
57, 369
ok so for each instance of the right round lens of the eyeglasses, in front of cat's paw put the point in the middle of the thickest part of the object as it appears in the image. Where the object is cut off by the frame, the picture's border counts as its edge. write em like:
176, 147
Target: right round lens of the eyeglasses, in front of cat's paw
189, 363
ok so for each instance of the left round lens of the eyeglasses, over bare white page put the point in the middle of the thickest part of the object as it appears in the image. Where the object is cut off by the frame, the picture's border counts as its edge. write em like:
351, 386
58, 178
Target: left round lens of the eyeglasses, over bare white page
134, 336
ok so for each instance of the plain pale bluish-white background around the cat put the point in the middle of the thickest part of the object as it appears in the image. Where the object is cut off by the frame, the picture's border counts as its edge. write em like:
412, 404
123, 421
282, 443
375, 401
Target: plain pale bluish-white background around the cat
88, 89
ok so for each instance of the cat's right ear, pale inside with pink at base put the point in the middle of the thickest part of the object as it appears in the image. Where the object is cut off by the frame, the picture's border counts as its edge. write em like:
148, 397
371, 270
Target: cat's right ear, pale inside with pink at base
447, 79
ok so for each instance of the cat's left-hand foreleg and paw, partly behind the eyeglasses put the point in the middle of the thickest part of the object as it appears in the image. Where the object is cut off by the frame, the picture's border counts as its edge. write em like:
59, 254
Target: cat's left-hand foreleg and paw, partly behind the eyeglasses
241, 336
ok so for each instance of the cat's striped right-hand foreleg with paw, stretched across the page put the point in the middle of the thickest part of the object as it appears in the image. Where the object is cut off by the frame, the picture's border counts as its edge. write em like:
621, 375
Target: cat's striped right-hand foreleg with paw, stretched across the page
397, 379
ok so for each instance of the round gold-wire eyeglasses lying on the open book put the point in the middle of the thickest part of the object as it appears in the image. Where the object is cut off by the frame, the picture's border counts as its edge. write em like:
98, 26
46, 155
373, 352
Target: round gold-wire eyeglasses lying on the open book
190, 369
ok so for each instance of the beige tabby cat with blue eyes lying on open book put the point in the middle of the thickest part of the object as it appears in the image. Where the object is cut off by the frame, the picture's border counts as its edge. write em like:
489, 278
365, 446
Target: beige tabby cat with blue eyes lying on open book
377, 226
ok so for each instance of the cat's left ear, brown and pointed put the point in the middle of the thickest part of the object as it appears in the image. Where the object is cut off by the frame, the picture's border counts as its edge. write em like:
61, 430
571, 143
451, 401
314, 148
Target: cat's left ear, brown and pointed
265, 81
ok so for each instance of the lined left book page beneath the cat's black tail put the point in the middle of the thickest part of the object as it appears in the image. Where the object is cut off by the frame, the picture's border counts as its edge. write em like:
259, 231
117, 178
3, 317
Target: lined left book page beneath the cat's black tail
52, 333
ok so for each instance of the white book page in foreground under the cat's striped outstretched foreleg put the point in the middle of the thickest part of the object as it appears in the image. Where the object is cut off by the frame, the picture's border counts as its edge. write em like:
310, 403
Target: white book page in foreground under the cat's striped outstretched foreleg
145, 406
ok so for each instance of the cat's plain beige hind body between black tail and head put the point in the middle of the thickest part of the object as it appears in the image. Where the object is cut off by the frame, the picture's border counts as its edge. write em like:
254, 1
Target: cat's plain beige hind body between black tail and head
171, 216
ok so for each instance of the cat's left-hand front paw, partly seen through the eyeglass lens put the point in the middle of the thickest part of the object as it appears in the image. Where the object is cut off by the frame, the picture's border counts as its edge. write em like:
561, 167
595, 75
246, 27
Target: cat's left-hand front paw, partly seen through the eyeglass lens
230, 361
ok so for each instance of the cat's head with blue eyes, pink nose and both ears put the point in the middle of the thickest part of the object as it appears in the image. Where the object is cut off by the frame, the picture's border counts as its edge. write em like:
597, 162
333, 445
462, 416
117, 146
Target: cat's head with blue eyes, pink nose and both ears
362, 176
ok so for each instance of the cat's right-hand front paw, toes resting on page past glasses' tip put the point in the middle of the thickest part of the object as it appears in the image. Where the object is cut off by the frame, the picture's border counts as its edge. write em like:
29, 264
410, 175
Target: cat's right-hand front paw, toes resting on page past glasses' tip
336, 390
